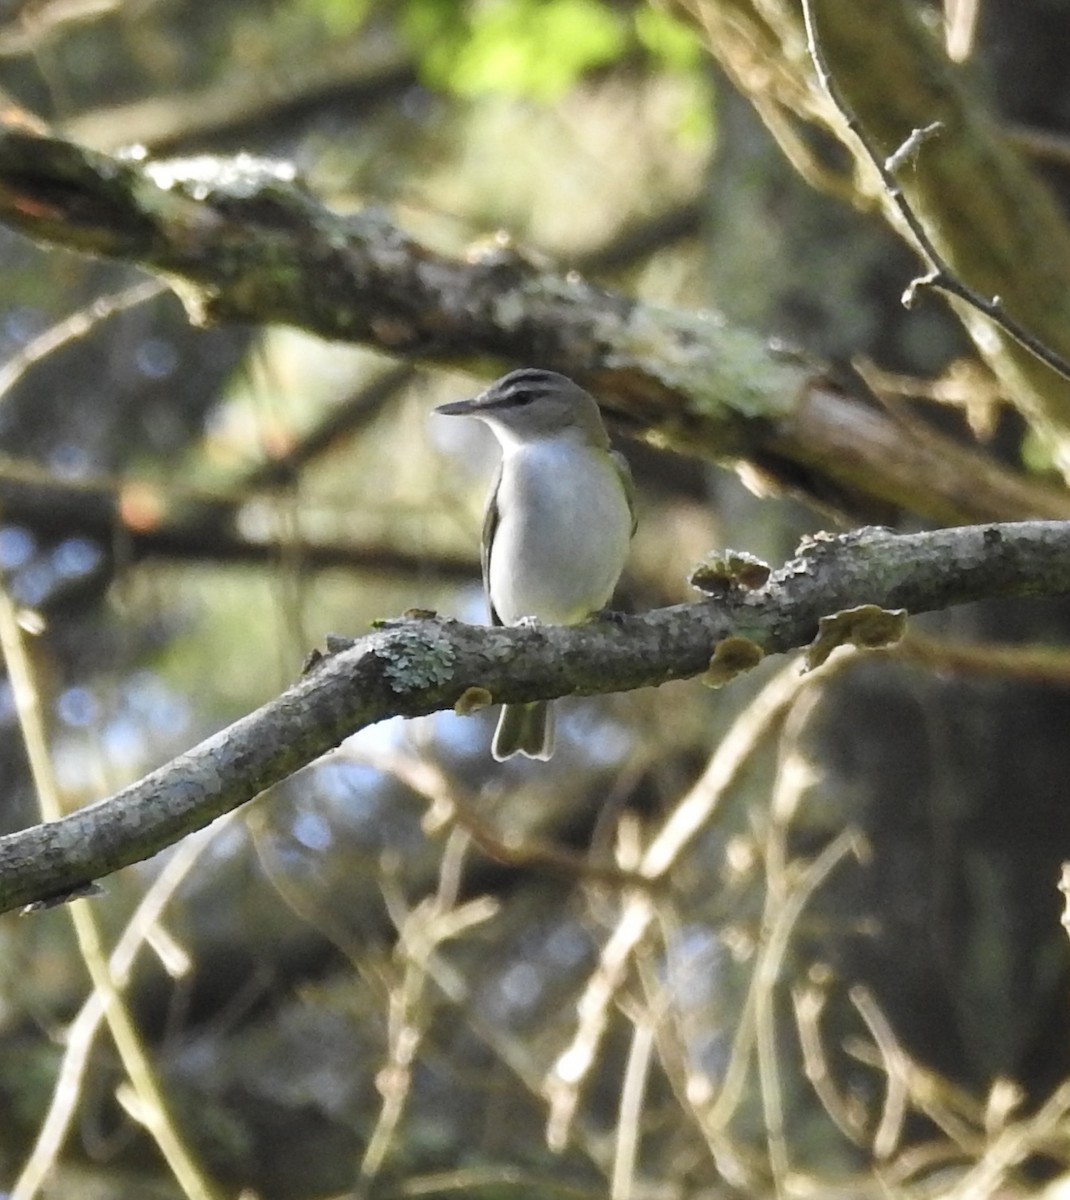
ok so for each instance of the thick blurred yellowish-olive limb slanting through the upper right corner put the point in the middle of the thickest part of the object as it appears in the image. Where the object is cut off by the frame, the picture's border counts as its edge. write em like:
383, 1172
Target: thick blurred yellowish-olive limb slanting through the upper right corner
990, 219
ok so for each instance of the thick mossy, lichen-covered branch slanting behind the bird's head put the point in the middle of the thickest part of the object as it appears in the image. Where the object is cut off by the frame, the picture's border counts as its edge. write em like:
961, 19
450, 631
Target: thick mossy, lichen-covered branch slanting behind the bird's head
242, 241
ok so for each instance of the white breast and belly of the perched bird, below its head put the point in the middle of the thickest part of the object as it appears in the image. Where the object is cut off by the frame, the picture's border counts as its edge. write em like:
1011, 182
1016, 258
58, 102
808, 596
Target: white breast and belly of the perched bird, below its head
563, 533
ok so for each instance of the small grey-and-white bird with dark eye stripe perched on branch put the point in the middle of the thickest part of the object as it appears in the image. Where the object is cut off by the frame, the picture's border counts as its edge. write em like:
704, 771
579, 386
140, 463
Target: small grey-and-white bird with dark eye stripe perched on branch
558, 524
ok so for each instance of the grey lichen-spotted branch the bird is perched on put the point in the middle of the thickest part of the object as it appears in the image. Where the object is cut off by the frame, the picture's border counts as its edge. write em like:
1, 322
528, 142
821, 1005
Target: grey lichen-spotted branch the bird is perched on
428, 664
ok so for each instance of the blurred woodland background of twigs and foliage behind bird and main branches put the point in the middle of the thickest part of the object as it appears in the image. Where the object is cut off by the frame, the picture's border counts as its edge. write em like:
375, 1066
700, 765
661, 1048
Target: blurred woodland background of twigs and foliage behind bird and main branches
412, 971
